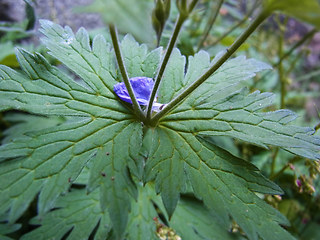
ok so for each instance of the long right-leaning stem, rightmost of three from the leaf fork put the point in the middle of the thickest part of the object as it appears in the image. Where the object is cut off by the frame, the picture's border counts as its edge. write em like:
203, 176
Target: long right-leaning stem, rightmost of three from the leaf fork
237, 43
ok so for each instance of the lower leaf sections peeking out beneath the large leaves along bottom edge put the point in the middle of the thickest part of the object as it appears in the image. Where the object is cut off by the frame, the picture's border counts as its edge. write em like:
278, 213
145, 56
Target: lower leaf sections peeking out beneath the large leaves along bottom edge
78, 215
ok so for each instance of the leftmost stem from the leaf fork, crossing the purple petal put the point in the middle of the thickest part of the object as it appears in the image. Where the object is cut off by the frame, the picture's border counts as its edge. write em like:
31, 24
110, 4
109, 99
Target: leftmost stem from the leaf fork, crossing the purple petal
136, 107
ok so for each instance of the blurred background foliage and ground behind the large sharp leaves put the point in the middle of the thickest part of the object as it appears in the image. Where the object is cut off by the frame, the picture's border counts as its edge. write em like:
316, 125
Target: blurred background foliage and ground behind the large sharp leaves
288, 44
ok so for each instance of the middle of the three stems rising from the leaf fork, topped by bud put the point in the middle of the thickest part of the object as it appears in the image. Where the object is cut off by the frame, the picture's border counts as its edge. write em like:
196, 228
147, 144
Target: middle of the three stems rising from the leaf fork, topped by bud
182, 17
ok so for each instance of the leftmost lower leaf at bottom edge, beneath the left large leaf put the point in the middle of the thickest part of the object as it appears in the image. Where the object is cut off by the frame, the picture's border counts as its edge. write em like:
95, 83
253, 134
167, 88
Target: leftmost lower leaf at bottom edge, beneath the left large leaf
77, 214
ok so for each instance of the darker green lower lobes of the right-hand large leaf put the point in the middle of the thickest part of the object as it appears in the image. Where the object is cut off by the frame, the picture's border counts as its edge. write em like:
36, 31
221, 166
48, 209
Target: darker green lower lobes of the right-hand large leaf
225, 183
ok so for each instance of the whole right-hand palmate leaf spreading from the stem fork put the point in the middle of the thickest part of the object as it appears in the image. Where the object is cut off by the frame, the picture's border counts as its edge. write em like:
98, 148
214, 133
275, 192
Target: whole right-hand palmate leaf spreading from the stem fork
221, 107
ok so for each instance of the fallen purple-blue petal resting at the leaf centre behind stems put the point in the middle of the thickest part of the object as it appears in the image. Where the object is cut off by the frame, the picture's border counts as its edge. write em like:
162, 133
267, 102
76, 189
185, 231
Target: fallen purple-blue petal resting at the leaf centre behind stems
142, 88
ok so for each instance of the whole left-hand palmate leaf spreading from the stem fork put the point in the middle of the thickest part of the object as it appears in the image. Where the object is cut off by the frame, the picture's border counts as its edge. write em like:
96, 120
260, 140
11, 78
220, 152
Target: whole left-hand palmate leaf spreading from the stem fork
95, 129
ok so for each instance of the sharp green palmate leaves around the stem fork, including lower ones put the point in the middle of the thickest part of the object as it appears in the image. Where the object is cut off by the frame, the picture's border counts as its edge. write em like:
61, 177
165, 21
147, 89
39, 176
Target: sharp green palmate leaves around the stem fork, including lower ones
80, 134
